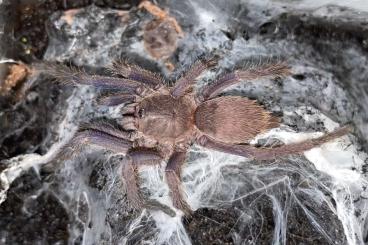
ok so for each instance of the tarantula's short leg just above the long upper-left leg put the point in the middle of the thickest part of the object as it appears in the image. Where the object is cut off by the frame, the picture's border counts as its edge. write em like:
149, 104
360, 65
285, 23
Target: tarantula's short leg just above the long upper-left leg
138, 74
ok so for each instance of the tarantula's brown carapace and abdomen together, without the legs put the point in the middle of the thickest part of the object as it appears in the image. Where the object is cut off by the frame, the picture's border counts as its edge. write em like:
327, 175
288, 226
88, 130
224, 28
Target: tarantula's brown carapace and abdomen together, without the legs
230, 119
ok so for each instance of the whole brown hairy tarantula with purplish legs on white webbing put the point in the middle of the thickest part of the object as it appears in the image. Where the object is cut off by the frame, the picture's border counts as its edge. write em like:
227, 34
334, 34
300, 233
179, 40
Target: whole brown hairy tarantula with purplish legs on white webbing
160, 123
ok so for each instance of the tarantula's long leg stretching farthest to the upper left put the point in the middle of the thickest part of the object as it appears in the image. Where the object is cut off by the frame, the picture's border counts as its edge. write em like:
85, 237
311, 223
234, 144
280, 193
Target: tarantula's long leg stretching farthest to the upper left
68, 75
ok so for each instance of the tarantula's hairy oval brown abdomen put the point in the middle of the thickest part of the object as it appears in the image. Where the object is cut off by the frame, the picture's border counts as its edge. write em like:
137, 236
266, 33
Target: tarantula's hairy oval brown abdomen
233, 119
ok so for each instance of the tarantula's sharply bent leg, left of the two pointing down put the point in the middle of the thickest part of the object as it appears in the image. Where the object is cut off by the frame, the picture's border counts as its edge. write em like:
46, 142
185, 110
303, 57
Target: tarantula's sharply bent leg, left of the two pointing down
130, 165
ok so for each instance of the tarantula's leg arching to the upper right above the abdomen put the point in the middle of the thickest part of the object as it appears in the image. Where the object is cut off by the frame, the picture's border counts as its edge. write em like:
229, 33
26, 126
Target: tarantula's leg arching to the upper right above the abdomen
278, 69
